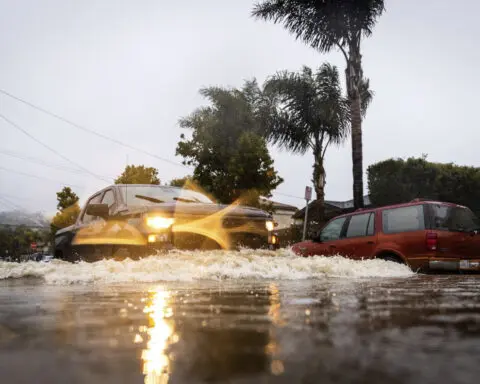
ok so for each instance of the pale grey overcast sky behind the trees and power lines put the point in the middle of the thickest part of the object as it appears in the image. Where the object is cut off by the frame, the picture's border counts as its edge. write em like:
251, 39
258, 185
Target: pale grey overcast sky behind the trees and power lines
131, 69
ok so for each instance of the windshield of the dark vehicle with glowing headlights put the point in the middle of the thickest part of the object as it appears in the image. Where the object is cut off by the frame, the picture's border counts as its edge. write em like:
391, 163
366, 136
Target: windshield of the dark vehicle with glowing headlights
155, 194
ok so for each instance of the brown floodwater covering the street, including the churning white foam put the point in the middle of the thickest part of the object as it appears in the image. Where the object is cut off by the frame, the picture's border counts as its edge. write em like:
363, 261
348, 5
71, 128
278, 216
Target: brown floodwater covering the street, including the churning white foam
236, 317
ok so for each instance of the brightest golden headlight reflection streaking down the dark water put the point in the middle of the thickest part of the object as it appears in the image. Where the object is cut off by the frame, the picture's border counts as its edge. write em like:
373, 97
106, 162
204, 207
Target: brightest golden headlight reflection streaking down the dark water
160, 331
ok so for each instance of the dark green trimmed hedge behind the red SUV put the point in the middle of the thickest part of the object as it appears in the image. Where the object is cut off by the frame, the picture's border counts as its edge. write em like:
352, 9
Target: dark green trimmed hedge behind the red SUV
396, 181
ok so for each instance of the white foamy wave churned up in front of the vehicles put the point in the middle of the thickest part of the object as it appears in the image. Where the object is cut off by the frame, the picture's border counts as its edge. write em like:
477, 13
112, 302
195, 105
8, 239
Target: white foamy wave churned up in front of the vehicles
211, 265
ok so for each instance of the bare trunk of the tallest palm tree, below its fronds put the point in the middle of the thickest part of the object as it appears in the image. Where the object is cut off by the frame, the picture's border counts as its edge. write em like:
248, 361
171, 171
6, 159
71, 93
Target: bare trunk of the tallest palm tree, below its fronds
353, 77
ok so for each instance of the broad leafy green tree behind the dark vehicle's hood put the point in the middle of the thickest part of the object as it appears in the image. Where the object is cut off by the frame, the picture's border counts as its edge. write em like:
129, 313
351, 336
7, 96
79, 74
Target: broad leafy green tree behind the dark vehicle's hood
230, 156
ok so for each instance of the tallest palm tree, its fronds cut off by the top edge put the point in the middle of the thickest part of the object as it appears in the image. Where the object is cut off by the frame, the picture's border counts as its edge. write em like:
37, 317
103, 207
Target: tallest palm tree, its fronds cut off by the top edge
329, 24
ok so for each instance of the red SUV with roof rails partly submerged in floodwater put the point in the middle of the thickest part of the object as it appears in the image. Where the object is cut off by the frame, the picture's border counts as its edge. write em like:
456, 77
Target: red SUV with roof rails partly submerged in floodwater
426, 235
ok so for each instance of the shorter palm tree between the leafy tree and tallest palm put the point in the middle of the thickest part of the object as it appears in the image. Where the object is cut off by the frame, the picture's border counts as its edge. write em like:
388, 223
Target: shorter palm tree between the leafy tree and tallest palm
307, 112
